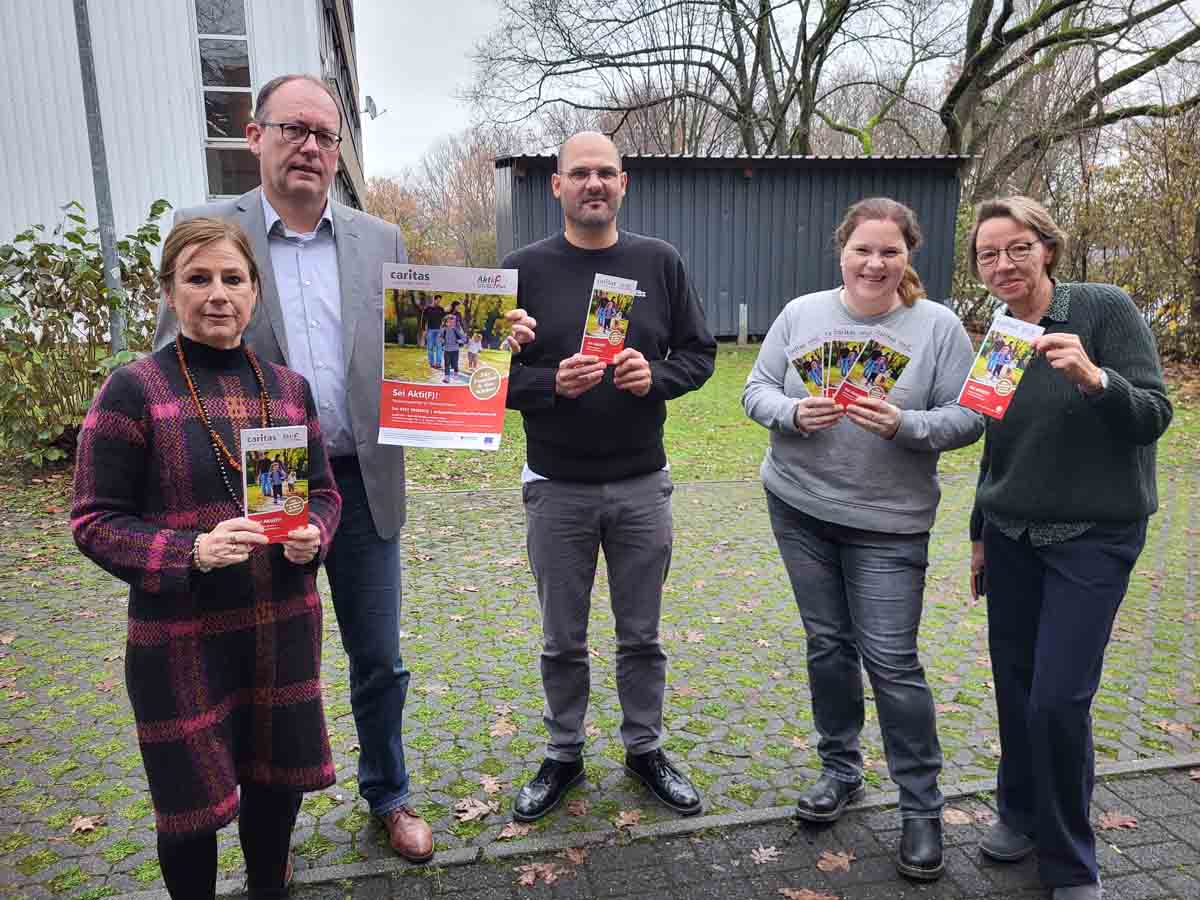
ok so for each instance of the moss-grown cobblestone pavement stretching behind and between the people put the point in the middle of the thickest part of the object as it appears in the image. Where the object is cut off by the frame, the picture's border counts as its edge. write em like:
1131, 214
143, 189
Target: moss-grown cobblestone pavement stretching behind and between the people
737, 712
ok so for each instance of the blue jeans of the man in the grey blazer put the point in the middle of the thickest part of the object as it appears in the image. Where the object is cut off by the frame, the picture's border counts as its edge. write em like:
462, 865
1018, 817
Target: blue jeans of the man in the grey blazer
364, 578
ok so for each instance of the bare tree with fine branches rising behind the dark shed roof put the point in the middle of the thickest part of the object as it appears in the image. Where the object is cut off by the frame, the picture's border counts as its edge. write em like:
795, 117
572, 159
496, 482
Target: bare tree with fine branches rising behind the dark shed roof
755, 65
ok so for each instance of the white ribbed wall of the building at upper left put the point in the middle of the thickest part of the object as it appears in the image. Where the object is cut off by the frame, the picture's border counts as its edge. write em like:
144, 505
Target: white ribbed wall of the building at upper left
148, 76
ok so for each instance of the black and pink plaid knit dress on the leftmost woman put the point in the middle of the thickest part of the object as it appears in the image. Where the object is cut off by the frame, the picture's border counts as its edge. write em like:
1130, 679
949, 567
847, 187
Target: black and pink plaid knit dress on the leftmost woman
223, 668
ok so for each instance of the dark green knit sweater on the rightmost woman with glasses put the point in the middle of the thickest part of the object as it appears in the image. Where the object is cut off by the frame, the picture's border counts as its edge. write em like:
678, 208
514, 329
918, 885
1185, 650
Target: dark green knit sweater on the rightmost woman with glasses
1061, 457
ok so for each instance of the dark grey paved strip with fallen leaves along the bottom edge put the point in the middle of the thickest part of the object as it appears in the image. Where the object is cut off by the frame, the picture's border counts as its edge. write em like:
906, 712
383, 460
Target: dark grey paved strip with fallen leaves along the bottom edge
1157, 860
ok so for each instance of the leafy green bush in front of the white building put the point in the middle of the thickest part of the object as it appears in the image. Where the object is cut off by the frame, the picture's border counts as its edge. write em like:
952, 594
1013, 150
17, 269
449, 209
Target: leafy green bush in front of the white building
55, 335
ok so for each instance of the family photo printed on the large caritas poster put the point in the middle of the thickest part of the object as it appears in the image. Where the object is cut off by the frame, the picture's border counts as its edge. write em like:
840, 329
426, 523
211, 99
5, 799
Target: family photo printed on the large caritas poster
442, 338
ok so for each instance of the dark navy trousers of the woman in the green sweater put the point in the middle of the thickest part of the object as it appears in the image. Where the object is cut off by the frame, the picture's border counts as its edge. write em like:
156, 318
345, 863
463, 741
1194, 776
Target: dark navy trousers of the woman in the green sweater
1051, 614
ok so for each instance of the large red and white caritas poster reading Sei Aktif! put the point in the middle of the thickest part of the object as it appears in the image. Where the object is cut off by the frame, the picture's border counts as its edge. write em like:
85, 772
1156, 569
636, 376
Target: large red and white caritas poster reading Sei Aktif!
446, 362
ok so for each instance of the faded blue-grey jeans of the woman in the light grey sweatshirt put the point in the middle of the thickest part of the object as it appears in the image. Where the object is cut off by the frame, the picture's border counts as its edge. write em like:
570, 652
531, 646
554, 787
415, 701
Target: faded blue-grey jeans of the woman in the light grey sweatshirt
861, 595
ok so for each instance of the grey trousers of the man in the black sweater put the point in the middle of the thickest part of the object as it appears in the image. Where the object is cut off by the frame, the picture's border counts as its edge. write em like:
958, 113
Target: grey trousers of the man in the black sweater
567, 524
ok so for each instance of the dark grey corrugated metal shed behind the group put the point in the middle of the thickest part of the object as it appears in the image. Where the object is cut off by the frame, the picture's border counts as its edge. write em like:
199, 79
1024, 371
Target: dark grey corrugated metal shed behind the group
754, 231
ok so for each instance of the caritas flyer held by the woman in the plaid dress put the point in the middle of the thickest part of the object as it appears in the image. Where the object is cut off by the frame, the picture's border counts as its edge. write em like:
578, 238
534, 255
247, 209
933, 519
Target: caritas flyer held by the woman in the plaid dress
275, 478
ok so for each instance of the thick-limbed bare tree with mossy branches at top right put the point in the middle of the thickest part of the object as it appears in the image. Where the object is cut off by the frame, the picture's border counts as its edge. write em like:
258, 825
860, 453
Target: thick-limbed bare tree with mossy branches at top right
1108, 47
